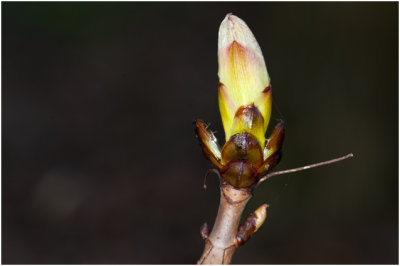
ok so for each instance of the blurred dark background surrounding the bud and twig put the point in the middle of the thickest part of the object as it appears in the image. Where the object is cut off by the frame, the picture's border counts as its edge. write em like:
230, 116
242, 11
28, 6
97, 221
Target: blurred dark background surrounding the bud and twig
99, 159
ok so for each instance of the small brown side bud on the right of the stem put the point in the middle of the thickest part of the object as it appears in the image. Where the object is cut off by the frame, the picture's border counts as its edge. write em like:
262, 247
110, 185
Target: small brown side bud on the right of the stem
251, 225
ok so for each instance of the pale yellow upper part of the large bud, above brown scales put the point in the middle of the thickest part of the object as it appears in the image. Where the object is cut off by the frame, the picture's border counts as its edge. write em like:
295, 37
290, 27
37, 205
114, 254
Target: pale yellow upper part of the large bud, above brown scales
243, 76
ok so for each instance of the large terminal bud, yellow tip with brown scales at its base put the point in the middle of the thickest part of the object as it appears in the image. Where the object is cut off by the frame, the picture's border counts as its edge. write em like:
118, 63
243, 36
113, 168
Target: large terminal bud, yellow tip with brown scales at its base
244, 97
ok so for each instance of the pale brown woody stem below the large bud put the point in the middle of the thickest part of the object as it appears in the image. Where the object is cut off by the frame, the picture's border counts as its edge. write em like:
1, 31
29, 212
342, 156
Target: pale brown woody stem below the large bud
220, 245
